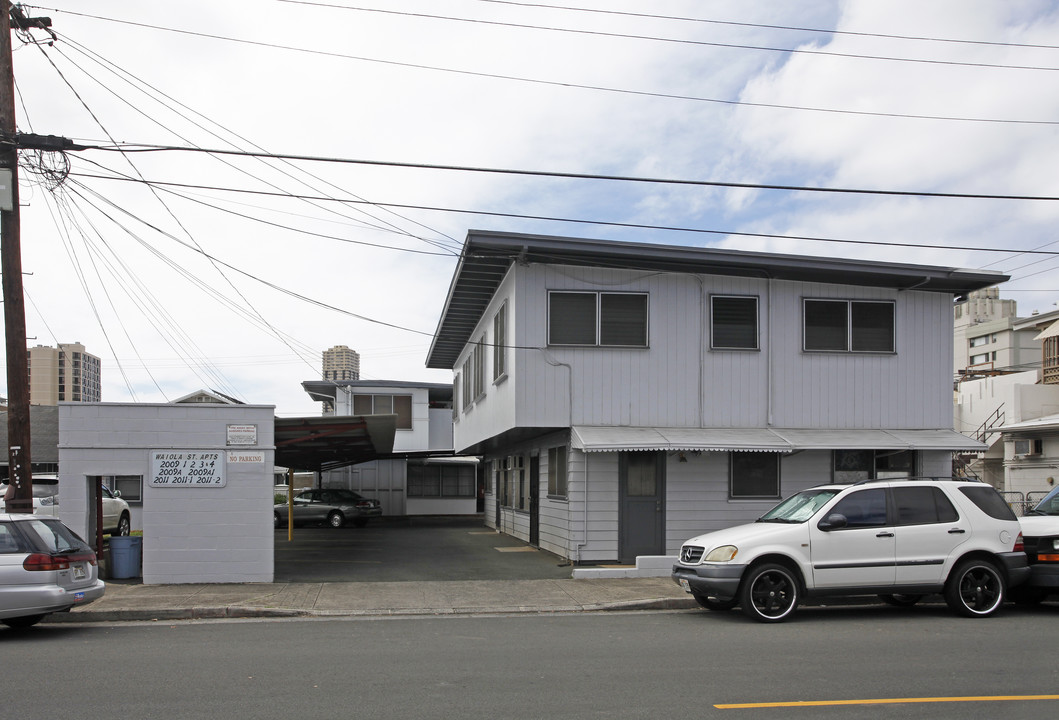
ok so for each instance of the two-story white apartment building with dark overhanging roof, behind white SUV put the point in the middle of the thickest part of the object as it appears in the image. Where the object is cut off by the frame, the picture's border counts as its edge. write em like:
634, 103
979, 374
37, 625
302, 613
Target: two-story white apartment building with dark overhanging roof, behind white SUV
626, 397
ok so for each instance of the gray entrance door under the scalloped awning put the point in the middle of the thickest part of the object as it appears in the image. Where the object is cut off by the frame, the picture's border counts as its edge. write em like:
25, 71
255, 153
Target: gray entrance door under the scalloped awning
642, 521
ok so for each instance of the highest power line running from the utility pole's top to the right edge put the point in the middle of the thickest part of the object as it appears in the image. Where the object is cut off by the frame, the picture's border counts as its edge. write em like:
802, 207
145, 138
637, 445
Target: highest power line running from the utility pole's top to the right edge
568, 85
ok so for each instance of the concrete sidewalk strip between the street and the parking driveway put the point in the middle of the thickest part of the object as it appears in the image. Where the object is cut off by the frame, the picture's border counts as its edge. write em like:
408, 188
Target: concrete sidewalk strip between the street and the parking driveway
125, 601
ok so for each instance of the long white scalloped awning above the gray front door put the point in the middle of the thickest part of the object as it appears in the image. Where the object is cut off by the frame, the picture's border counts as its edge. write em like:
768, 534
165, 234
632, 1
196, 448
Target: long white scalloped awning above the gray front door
761, 440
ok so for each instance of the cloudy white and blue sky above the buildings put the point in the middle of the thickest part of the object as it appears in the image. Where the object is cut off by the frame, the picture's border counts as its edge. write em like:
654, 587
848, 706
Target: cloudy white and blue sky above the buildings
186, 269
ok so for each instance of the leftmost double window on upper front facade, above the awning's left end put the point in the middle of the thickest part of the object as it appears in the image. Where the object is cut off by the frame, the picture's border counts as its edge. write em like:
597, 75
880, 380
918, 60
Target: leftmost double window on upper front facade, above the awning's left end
601, 319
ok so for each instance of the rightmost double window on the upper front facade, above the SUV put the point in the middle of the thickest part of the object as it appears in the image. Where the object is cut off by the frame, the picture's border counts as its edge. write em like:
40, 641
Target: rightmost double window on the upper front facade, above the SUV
850, 326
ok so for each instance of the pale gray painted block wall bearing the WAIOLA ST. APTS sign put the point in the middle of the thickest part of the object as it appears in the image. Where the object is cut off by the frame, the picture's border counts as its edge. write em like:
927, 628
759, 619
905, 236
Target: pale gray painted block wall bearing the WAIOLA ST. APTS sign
190, 535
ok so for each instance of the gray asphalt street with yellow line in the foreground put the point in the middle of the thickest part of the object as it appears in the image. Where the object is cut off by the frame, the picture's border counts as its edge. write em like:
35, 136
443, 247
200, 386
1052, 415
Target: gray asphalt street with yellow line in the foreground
885, 662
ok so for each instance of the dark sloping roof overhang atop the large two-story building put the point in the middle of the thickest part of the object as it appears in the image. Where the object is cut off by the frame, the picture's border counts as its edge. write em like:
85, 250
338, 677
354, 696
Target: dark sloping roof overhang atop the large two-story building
488, 257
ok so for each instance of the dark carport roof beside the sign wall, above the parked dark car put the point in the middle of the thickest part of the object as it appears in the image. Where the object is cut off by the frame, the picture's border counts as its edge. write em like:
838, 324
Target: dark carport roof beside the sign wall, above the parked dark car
333, 442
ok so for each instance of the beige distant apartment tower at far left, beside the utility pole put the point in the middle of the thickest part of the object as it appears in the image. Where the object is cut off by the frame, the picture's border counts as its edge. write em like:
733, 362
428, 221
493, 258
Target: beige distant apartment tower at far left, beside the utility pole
64, 374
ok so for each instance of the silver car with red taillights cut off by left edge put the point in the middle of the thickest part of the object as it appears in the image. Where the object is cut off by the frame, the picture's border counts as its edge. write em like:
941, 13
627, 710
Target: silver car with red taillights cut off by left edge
45, 568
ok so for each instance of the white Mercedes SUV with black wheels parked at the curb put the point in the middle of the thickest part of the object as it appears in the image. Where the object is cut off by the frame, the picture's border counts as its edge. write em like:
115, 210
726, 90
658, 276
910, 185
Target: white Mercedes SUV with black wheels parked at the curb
900, 539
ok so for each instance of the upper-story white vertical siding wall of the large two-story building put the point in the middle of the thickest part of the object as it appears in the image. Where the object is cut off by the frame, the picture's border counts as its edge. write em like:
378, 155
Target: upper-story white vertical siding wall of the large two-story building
679, 382
